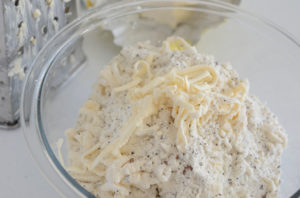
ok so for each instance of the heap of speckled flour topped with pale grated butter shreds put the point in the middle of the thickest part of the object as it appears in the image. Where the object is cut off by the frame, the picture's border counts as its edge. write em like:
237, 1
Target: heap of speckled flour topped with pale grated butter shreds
169, 122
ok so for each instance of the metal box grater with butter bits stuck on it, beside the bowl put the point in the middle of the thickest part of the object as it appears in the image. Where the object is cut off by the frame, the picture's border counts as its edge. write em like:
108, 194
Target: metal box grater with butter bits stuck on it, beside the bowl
25, 27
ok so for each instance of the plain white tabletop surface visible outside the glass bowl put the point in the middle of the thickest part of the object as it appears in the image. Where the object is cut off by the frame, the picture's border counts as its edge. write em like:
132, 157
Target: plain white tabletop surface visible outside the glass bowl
19, 175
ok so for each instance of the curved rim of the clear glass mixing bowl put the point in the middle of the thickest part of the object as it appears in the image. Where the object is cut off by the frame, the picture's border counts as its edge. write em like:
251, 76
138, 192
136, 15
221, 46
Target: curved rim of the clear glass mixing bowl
30, 114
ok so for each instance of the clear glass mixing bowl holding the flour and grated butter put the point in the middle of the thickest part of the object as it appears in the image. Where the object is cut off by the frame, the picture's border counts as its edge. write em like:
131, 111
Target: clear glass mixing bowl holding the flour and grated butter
260, 51
